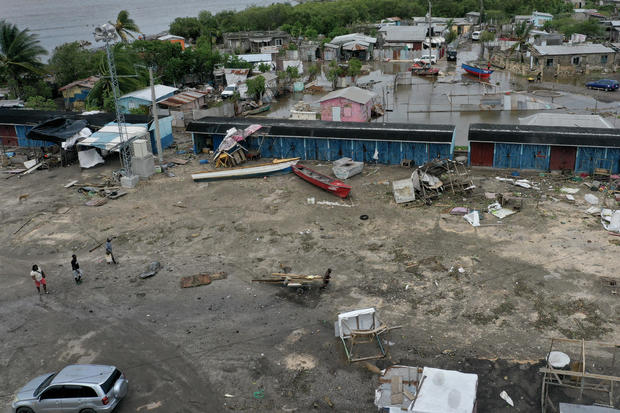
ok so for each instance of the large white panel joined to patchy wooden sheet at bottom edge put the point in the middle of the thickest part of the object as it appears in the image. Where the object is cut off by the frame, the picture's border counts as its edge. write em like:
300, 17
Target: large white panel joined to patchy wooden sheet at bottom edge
426, 390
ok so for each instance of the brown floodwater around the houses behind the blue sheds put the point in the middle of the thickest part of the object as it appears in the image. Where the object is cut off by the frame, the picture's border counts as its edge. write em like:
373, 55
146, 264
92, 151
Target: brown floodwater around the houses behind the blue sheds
455, 98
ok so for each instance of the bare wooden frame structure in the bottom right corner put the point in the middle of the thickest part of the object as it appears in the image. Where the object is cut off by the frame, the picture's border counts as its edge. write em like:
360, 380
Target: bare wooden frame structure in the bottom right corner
578, 378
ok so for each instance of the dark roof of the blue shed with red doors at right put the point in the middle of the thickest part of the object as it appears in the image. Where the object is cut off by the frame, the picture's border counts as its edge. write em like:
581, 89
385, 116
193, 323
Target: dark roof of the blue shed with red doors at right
545, 135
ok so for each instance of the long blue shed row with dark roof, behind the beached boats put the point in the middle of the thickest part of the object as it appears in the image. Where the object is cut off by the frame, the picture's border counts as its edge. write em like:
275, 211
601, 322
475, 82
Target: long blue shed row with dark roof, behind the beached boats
327, 141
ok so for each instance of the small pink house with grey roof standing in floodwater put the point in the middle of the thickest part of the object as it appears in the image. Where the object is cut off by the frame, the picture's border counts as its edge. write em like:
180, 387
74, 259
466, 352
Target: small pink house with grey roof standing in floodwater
351, 104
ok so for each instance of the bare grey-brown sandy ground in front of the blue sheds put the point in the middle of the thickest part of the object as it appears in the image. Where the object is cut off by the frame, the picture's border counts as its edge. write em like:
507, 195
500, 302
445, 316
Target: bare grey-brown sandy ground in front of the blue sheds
242, 346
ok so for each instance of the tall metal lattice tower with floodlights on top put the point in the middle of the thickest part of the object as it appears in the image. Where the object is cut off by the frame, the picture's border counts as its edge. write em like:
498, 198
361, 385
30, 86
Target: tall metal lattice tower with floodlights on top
107, 33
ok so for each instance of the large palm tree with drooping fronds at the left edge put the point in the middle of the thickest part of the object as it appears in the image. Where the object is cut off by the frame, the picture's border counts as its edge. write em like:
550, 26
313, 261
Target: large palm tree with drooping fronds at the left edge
19, 54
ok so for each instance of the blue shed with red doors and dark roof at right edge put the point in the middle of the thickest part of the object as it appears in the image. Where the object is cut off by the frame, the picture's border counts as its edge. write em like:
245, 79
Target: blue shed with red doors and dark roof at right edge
544, 148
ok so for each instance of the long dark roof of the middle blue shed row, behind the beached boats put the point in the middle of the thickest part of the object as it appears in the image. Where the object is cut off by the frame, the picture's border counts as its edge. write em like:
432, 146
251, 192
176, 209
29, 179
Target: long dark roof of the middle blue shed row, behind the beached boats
334, 130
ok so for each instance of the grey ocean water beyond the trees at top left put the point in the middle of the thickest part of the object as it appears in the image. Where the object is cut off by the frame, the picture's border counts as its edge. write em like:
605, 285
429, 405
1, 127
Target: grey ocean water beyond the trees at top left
61, 21
